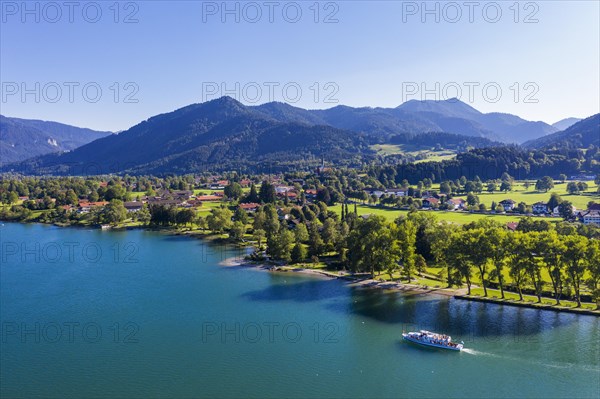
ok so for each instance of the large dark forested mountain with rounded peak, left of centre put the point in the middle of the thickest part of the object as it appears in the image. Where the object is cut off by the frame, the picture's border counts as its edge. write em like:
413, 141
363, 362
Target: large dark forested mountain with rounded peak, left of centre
221, 134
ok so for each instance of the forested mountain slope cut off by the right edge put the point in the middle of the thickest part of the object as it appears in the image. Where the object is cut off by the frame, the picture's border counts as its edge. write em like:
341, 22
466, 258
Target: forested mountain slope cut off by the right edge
580, 135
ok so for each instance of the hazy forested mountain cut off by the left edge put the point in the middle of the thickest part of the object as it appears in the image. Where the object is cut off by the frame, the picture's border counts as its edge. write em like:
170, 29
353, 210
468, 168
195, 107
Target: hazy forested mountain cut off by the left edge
25, 138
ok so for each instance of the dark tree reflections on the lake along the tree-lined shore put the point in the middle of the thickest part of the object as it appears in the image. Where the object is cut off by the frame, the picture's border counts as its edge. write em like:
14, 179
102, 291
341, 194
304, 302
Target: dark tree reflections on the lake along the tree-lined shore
409, 311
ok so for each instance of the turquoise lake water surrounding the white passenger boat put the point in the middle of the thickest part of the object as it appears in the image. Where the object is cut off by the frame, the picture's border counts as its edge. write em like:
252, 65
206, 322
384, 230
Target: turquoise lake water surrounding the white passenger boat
90, 313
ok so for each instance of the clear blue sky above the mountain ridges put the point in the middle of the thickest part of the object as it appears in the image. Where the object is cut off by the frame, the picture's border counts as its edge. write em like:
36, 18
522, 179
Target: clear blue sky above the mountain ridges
374, 55
